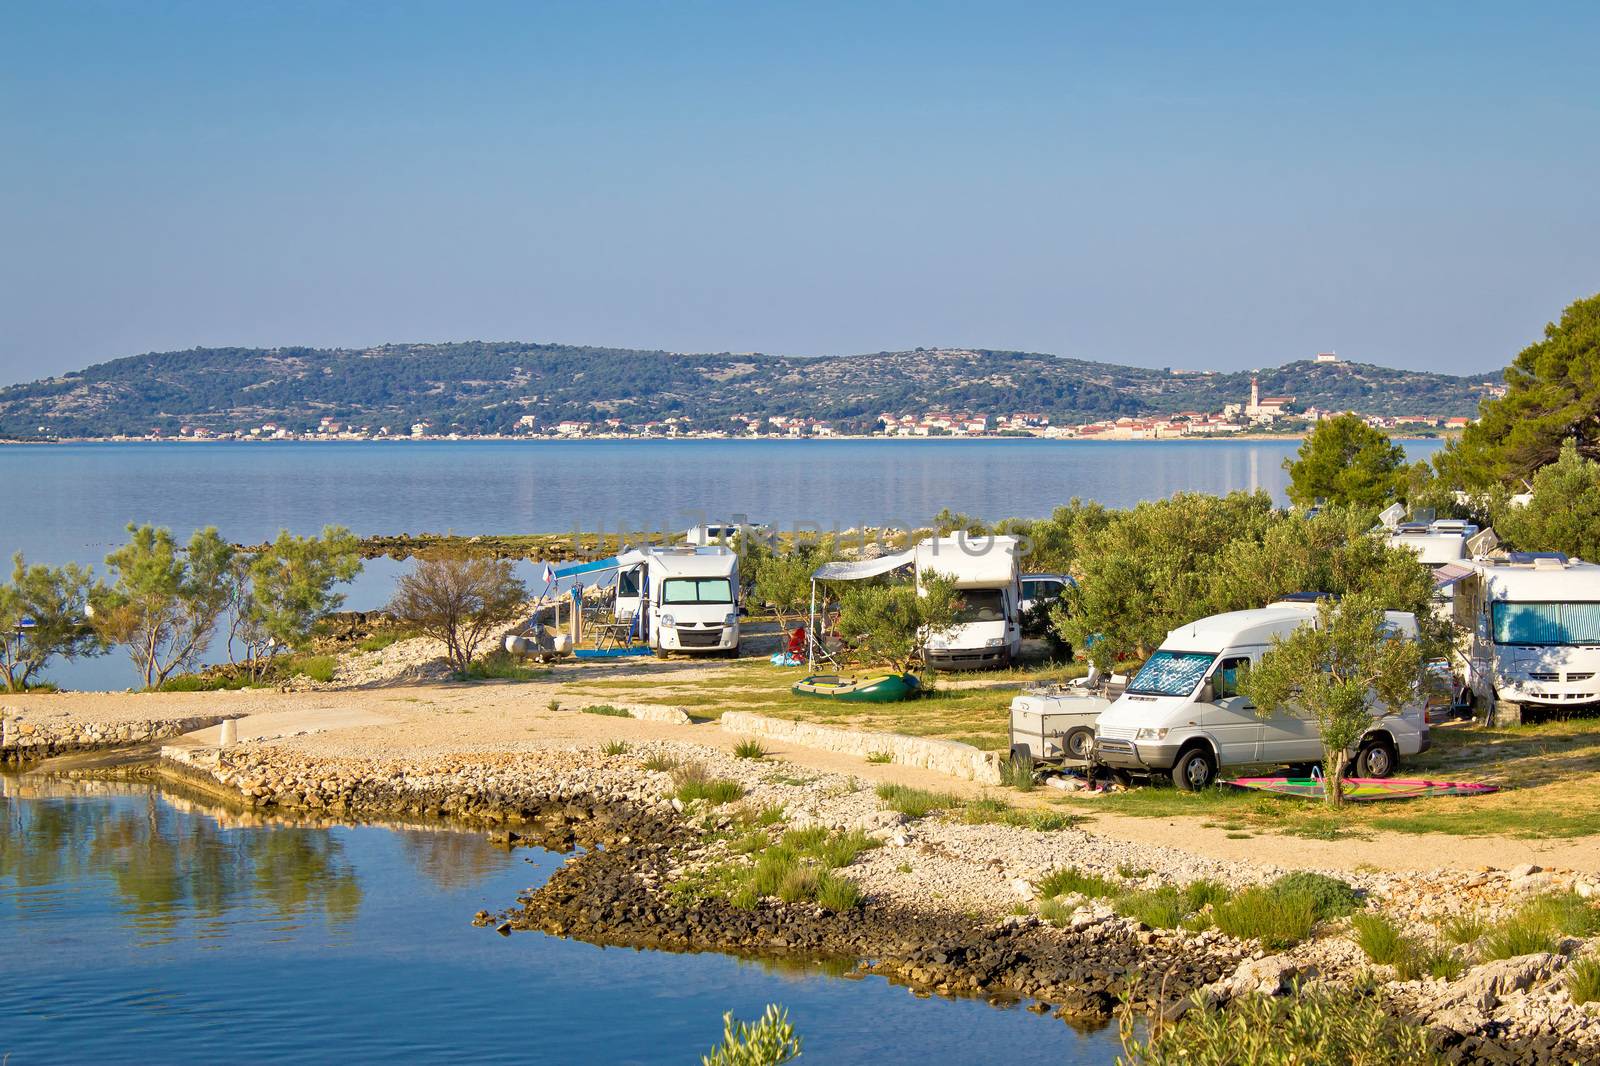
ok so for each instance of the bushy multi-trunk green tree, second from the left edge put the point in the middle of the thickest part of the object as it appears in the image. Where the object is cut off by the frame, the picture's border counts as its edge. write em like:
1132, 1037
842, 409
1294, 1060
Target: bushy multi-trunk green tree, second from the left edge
164, 601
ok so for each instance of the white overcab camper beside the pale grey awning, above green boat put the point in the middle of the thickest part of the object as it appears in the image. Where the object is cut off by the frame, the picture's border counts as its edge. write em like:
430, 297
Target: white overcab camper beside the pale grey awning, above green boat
990, 631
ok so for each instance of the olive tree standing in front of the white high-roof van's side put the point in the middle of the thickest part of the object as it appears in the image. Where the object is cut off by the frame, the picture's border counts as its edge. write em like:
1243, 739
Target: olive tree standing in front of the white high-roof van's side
1332, 671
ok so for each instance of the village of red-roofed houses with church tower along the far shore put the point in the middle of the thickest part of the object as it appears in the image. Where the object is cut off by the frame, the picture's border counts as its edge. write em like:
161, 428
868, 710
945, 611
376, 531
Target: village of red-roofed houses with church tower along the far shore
1254, 415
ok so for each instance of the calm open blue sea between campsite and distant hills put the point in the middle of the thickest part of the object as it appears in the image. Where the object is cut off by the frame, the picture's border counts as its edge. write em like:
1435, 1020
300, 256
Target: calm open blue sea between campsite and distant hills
71, 503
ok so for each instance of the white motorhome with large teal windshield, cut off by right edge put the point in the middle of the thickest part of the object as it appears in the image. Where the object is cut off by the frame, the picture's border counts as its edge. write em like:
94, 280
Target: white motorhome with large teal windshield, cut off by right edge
1532, 625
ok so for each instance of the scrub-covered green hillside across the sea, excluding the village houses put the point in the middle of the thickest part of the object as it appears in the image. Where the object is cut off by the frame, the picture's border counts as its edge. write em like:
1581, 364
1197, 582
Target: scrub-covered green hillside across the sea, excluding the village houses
479, 388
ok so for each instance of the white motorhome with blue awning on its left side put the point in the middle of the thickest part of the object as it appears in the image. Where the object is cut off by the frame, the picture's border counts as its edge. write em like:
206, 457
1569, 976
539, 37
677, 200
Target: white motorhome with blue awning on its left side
682, 599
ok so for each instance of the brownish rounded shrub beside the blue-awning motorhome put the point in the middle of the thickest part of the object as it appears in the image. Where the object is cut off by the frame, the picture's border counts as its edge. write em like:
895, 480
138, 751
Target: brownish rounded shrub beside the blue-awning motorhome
460, 601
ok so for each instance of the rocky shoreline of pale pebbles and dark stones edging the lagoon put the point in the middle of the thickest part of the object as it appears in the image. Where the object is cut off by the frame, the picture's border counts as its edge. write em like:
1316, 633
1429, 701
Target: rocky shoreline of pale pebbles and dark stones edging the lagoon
946, 907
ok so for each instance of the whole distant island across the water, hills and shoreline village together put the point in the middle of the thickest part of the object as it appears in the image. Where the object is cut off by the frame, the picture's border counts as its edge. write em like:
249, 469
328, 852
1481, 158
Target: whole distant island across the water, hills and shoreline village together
514, 390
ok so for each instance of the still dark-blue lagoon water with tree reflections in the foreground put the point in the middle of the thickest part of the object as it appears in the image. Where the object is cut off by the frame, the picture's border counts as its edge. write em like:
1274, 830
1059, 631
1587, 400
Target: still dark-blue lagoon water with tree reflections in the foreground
142, 926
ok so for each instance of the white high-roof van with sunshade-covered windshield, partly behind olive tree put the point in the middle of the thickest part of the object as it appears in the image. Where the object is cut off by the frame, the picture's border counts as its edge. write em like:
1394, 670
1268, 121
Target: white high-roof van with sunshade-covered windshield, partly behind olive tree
1183, 715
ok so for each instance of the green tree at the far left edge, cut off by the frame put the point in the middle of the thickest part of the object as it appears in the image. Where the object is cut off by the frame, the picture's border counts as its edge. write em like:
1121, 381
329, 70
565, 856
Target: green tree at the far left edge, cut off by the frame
42, 615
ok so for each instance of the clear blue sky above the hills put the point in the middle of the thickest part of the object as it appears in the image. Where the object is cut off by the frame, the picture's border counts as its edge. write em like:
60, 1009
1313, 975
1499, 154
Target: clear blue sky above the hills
1223, 185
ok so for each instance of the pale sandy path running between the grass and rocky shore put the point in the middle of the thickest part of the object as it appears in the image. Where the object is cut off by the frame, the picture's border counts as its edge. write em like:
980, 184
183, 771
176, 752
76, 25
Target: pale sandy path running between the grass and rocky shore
420, 721
